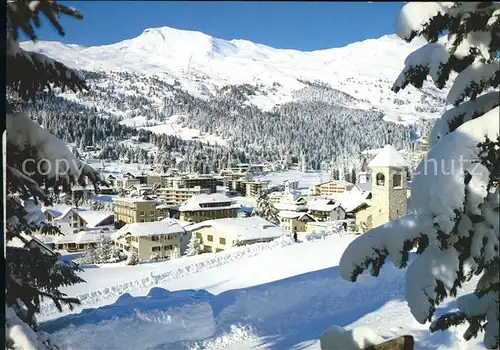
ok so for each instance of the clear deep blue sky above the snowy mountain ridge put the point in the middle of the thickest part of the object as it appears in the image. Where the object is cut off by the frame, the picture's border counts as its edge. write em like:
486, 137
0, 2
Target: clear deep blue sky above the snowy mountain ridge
294, 25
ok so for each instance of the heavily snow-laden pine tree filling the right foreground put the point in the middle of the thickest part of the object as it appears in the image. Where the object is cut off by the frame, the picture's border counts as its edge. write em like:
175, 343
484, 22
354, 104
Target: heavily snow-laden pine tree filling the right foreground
455, 190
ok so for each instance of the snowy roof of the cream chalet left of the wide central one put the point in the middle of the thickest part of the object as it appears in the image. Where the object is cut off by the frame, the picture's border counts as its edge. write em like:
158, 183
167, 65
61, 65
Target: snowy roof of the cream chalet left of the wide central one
143, 229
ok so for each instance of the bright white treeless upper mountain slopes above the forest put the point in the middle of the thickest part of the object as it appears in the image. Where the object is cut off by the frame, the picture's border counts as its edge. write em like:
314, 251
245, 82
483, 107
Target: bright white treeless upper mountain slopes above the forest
203, 64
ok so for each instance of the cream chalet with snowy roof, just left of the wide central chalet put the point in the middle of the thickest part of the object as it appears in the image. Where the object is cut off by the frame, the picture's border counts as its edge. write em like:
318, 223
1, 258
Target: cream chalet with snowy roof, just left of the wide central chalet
151, 238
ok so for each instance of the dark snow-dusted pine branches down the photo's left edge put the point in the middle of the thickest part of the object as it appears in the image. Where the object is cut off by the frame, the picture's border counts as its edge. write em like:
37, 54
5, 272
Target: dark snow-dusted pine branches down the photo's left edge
31, 274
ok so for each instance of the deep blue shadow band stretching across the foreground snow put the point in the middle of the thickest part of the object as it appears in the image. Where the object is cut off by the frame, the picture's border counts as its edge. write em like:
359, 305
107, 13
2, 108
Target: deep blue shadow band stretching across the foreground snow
284, 314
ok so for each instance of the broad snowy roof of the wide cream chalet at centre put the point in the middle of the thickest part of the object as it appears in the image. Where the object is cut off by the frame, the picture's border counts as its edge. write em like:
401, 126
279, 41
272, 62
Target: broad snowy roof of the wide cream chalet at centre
244, 229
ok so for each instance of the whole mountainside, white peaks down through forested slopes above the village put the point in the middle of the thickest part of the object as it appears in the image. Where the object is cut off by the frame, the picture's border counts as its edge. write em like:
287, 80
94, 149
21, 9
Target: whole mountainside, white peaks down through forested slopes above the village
189, 99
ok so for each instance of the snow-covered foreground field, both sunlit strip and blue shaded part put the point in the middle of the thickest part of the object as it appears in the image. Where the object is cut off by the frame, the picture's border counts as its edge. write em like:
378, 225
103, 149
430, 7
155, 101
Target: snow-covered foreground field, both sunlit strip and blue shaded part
272, 296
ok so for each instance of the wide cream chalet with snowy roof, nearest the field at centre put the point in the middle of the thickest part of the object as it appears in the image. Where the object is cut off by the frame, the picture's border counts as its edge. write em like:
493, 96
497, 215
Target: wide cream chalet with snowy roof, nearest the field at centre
221, 234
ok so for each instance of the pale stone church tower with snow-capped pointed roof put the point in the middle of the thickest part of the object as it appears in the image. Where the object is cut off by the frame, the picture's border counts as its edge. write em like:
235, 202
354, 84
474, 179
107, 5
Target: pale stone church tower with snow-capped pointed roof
389, 186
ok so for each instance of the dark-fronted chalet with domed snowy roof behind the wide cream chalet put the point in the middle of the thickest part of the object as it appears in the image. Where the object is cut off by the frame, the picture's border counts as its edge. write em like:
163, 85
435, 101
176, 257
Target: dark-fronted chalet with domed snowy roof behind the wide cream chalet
208, 207
